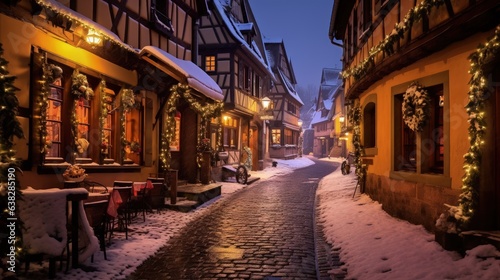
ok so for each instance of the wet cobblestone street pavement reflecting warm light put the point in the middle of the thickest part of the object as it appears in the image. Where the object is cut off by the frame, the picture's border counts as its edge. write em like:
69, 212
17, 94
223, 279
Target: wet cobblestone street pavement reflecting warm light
265, 231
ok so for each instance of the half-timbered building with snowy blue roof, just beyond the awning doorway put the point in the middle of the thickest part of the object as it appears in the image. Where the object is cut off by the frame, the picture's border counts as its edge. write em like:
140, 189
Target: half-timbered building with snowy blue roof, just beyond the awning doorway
232, 52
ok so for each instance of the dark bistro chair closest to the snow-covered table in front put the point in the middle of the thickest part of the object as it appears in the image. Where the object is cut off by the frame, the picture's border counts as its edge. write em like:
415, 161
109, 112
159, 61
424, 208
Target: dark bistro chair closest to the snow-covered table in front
96, 213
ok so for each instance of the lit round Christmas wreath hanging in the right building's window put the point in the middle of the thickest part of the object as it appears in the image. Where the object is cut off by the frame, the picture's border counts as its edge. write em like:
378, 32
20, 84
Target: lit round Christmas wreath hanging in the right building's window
415, 107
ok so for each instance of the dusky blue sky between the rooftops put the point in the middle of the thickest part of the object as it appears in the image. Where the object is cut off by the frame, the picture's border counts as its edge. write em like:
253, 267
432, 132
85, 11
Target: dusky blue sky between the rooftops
303, 26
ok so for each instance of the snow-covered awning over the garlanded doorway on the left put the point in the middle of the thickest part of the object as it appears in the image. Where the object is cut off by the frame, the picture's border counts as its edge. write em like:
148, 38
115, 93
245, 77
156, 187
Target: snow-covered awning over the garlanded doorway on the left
183, 71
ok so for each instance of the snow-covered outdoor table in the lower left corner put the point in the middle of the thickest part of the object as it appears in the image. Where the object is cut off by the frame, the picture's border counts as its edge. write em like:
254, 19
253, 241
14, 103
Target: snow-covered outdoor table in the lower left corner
45, 219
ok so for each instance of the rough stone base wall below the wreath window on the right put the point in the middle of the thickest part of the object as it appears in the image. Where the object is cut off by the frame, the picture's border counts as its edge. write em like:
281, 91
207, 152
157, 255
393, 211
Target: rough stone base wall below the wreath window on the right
417, 203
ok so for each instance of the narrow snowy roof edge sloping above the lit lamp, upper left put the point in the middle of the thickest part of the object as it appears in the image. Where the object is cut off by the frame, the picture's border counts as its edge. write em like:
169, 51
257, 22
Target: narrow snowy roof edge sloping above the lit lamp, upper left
59, 8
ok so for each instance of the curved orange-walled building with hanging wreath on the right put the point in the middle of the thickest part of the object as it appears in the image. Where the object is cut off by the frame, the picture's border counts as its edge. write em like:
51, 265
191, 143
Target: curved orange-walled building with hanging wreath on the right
423, 80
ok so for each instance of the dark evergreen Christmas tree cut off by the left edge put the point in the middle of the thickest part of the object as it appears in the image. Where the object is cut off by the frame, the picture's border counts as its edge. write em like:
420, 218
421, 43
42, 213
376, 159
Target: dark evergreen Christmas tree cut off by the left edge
9, 168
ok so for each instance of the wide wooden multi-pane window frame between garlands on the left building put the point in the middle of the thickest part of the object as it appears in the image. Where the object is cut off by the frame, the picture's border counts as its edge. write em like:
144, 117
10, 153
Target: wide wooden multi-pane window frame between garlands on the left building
48, 164
